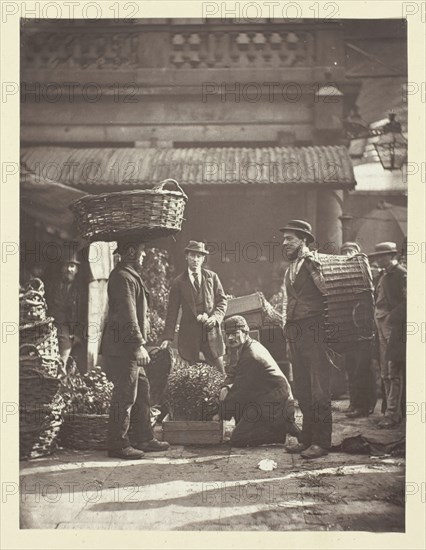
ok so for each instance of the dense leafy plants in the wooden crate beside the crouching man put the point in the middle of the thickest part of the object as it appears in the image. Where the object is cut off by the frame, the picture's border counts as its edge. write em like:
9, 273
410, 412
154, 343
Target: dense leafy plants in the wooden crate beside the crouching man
193, 392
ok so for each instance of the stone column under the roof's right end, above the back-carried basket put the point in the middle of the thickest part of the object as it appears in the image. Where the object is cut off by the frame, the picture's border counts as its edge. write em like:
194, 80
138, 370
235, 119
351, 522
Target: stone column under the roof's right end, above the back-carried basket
329, 228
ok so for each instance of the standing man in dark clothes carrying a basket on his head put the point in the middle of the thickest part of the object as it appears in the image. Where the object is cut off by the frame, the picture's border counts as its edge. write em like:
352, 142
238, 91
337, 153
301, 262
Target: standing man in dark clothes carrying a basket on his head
125, 356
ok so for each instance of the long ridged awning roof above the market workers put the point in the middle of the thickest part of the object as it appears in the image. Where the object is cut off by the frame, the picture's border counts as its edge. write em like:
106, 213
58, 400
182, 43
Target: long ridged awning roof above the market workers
326, 166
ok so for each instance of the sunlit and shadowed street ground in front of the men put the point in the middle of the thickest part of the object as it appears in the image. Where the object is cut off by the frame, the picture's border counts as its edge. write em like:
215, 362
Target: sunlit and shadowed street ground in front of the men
219, 488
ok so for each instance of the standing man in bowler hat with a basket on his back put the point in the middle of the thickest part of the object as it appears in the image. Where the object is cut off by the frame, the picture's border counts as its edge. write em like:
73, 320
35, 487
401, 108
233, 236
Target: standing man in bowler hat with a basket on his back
304, 317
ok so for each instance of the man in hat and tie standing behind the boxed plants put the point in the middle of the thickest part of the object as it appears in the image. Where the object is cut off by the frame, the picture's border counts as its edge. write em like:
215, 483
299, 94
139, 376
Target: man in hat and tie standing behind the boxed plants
199, 294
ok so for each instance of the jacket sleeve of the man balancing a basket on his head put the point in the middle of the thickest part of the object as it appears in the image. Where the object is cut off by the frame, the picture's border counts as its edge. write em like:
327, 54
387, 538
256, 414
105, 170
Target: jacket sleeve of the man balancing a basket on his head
125, 292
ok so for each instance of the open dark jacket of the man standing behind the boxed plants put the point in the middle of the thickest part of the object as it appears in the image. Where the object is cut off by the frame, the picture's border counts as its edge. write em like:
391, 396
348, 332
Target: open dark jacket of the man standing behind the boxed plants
215, 304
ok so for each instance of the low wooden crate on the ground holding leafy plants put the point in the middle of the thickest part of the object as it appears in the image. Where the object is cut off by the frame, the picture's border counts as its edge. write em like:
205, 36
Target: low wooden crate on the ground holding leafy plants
192, 432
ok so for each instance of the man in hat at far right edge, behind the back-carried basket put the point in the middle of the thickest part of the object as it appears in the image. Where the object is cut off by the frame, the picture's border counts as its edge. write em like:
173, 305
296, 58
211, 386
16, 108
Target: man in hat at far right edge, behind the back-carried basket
390, 317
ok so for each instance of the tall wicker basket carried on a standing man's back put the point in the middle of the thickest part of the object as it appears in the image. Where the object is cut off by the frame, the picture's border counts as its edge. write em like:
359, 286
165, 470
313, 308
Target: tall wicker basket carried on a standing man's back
349, 301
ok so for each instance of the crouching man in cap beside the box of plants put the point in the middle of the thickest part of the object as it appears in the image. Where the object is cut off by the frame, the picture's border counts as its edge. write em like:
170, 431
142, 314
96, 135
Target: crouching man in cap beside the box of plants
256, 393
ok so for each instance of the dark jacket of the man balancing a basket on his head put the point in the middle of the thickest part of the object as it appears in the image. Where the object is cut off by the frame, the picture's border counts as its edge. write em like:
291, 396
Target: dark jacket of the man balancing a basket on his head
127, 326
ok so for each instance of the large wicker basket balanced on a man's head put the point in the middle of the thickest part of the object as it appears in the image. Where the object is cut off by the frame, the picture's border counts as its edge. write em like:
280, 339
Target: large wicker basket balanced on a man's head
151, 213
